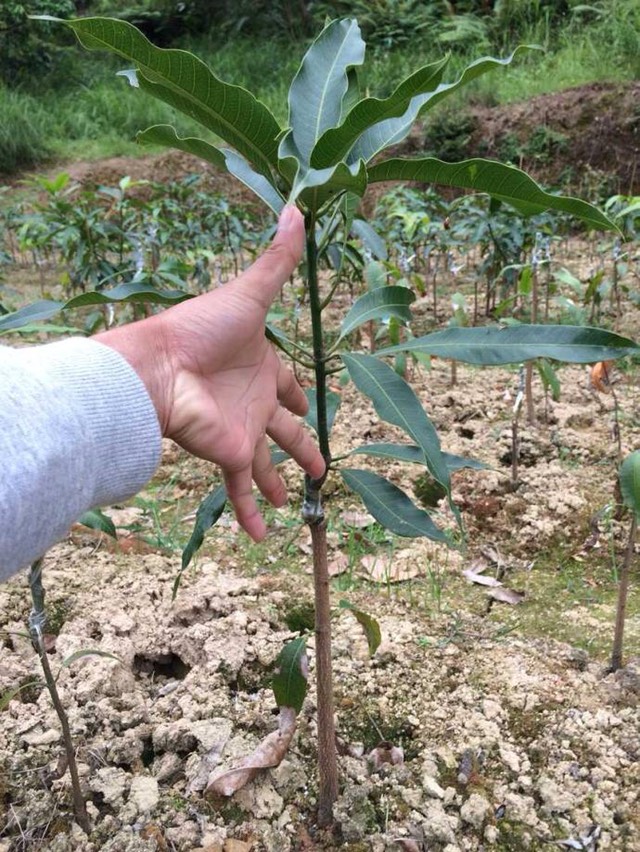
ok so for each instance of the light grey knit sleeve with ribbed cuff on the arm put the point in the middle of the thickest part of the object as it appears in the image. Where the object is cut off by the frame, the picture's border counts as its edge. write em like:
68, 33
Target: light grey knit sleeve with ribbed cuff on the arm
77, 430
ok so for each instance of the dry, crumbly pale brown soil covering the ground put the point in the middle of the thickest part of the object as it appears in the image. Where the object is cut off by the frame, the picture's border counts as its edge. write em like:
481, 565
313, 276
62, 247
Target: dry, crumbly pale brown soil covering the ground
512, 739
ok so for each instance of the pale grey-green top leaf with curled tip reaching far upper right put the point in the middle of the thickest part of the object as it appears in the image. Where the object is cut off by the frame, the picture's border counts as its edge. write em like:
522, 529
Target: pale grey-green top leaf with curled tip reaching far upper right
394, 130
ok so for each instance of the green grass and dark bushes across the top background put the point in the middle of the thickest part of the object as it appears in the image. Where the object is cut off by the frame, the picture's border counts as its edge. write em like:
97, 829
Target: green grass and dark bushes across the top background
55, 103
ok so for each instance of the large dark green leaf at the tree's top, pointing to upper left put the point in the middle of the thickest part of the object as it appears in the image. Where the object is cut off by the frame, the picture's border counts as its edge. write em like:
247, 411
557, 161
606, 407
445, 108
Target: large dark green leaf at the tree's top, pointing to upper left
186, 83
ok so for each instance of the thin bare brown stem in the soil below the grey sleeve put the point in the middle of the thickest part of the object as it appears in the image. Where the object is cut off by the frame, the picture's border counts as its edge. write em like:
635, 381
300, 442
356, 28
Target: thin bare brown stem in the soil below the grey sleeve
37, 621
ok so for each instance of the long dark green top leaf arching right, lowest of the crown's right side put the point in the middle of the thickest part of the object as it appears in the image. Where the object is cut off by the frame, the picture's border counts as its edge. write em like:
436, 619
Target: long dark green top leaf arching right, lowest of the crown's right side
506, 183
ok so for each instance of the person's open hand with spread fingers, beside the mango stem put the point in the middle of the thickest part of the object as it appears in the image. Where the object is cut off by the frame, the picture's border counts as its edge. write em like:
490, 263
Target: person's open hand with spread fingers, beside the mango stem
218, 385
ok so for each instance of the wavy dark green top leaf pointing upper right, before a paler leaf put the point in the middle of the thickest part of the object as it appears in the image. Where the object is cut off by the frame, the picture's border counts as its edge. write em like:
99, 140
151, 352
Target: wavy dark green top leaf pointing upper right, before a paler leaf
335, 143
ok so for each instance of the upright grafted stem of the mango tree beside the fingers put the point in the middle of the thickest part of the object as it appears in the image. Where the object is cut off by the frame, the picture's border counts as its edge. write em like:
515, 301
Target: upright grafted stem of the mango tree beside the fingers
313, 514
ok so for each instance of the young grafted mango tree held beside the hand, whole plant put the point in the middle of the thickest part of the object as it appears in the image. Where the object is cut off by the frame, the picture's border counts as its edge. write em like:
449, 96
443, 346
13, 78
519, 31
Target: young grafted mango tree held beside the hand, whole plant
331, 149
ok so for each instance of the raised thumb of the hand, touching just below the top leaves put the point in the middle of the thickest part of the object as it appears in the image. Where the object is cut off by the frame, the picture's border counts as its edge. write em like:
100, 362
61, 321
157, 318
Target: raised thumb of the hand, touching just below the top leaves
264, 278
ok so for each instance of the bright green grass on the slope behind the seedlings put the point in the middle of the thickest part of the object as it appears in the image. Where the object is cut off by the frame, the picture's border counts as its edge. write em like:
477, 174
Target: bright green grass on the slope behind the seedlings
91, 114
